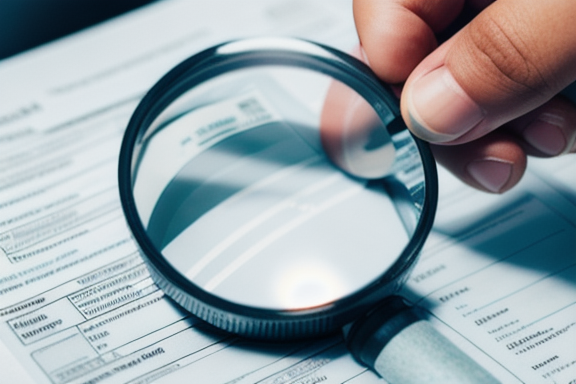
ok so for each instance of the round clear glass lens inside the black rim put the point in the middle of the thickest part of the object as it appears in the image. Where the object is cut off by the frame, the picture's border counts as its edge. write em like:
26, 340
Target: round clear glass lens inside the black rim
235, 190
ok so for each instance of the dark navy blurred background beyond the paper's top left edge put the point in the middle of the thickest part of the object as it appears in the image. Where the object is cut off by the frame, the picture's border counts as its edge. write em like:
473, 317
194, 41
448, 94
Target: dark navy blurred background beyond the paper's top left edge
25, 24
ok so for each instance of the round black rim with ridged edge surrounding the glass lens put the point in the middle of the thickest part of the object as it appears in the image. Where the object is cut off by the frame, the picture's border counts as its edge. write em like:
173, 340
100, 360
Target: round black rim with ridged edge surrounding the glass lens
250, 321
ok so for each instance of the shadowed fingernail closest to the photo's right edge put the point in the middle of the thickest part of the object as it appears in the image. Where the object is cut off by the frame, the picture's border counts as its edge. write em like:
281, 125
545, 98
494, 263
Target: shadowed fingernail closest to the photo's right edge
545, 134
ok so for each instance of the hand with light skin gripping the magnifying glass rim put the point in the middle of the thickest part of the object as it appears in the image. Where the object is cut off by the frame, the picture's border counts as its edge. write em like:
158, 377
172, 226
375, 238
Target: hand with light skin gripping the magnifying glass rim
488, 96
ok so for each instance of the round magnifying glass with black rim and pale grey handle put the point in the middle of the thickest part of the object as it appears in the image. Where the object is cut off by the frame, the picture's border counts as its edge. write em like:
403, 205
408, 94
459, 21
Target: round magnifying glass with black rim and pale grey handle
231, 181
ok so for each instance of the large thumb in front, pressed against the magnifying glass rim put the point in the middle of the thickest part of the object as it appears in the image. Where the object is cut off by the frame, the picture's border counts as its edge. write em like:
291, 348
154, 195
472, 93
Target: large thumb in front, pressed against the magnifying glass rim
512, 58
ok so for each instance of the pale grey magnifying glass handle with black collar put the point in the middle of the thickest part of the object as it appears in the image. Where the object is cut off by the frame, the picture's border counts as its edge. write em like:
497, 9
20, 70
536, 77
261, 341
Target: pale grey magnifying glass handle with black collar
404, 349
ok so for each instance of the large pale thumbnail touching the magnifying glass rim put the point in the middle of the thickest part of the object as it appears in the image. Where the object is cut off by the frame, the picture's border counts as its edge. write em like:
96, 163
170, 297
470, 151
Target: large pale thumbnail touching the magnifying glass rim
439, 109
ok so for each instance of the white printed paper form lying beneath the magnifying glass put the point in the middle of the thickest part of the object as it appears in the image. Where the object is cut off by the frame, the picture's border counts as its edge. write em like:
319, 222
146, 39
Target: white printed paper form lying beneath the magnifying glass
497, 276
